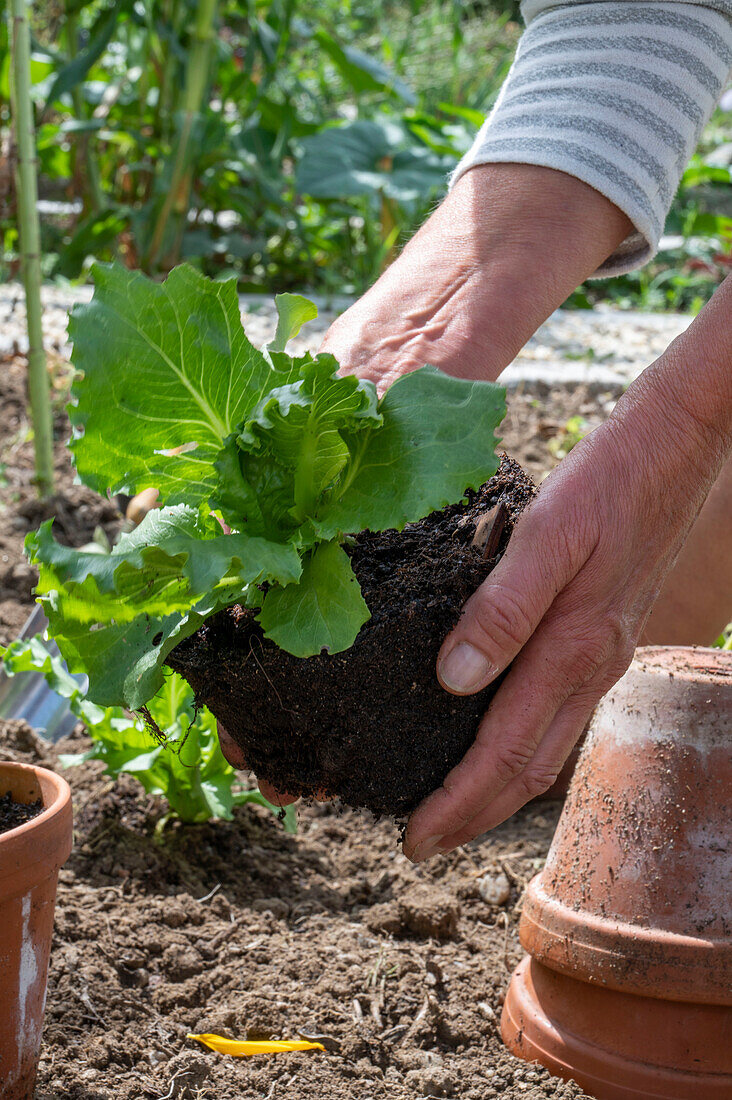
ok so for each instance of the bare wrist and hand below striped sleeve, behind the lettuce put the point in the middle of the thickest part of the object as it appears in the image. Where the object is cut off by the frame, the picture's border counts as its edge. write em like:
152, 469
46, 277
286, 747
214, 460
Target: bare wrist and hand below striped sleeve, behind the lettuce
507, 247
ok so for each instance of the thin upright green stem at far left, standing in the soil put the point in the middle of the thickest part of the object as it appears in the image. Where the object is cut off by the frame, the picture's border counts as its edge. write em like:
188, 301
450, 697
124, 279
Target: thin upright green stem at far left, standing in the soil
30, 239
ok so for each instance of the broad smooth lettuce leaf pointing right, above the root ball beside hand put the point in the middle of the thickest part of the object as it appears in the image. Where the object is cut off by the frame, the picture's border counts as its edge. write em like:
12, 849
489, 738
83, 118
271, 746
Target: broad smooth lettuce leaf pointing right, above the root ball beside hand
438, 441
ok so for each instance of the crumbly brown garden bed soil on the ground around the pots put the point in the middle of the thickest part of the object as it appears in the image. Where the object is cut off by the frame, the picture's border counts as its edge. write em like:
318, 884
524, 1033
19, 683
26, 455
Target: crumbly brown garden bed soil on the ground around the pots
238, 928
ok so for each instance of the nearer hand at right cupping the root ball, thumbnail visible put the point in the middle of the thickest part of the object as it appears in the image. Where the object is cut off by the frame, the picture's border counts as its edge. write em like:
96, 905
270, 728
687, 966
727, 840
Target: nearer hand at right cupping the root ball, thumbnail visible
570, 599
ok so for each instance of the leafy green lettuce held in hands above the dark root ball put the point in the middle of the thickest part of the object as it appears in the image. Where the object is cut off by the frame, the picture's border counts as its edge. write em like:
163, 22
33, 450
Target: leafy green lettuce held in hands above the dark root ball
266, 464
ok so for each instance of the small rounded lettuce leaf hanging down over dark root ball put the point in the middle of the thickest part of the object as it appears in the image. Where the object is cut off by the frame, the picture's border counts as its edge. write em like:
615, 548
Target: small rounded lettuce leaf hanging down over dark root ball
326, 611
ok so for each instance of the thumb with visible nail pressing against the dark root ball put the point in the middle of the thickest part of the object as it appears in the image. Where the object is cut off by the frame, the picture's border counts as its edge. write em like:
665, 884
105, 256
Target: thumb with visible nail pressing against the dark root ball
501, 617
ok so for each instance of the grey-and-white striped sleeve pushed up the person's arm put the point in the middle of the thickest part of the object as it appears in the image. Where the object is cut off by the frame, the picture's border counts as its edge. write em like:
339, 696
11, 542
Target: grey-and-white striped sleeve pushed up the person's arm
615, 93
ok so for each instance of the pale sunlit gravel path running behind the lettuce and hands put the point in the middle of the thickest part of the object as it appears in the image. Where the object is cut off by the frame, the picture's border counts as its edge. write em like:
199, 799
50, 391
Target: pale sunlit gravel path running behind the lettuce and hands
604, 349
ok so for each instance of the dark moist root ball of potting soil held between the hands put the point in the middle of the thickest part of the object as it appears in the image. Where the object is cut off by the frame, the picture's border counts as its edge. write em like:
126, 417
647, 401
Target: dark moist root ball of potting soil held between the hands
370, 725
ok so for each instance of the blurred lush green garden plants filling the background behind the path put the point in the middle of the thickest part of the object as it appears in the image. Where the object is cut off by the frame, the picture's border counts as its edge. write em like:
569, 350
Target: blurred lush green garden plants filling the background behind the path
298, 146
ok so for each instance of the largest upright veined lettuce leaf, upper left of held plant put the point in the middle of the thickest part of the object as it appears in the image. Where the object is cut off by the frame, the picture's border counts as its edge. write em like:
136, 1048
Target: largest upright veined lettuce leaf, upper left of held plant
167, 376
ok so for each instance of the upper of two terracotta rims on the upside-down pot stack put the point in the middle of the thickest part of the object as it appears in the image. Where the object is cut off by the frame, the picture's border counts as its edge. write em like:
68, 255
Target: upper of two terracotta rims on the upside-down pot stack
627, 958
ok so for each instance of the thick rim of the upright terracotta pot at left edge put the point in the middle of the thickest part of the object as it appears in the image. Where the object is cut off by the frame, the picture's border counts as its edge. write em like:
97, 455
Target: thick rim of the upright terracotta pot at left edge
42, 845
